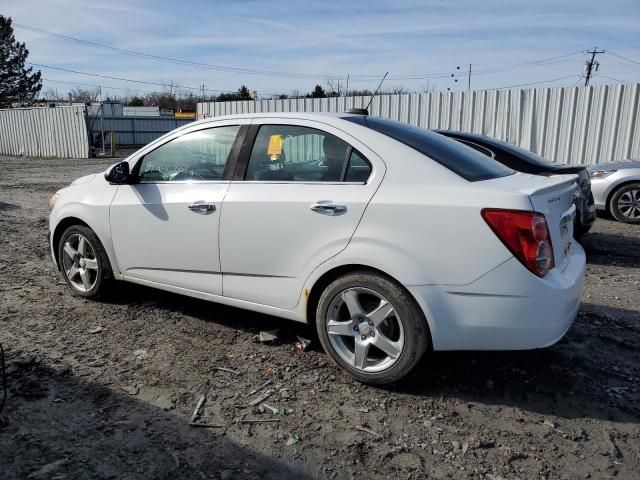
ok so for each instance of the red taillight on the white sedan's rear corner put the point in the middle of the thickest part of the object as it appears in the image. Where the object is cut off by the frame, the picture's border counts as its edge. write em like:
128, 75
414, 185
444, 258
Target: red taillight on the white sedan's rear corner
525, 234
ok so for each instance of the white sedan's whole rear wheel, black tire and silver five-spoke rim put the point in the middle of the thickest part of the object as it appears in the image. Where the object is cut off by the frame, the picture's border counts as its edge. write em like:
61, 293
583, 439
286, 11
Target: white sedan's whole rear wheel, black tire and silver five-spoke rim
372, 327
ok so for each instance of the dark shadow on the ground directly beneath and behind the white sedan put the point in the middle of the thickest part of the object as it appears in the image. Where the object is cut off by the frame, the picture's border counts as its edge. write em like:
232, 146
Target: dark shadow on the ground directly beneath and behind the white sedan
569, 379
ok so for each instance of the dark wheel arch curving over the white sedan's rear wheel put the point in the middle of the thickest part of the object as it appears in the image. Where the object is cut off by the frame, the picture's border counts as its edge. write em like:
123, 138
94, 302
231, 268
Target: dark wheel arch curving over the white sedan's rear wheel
330, 275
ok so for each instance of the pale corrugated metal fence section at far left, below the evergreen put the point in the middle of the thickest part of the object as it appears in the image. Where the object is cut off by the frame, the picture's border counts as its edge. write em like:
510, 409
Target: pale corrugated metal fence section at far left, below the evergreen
44, 132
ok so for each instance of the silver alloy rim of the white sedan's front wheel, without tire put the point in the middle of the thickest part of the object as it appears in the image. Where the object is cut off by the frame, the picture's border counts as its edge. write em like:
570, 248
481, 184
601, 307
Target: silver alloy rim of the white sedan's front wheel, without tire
80, 263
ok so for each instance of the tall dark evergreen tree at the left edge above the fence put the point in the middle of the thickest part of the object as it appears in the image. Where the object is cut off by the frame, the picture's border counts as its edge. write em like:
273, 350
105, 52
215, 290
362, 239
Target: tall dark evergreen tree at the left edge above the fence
17, 83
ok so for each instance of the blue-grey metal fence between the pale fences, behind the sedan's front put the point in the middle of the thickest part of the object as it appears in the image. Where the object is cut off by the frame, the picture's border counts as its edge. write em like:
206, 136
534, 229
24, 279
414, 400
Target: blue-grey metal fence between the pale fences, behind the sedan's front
134, 131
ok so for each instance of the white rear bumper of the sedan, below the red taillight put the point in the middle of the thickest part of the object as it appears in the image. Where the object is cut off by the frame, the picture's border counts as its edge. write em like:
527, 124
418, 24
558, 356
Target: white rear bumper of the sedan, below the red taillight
509, 308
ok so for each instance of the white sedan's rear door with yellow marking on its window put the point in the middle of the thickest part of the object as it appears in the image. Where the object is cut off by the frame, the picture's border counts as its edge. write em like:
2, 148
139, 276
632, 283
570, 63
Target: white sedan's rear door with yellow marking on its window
300, 189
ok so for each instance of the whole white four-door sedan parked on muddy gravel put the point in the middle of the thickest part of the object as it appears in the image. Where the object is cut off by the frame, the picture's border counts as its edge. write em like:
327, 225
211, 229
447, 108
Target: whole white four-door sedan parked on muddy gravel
390, 239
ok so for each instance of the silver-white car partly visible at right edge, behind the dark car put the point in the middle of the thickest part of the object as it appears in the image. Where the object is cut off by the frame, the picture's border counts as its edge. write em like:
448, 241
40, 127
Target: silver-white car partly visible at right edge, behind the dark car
616, 189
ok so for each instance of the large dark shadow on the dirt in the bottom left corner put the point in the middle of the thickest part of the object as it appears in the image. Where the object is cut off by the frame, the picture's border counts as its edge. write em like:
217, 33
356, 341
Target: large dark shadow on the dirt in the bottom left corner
63, 427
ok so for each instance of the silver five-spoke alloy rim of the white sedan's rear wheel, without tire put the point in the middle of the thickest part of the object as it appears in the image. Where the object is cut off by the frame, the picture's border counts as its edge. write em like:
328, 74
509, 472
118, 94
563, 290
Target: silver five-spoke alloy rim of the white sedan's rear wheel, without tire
364, 329
